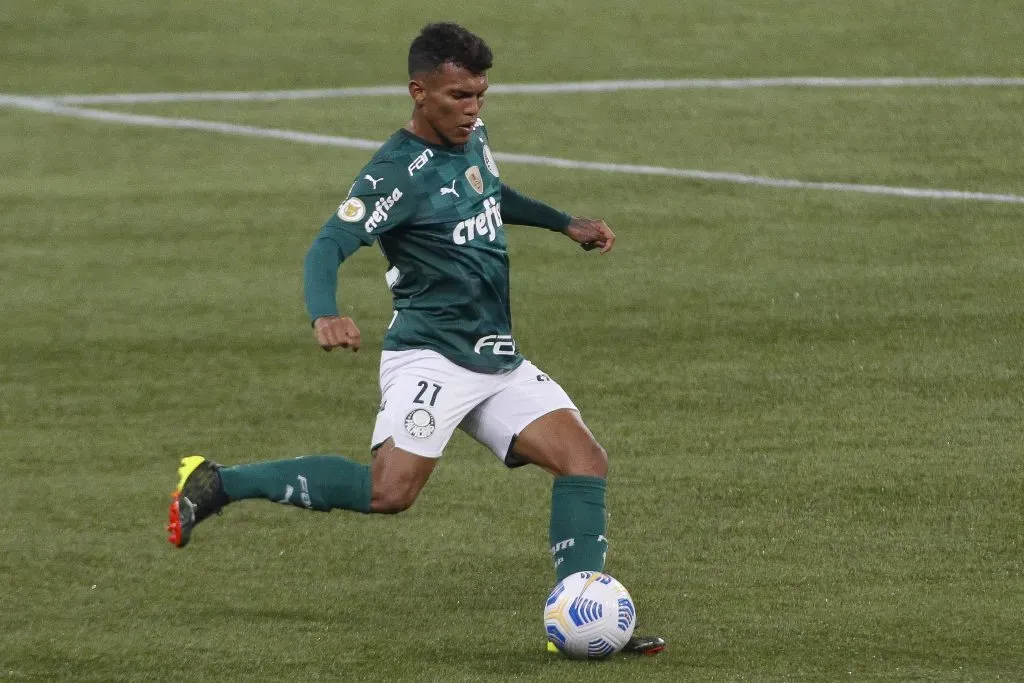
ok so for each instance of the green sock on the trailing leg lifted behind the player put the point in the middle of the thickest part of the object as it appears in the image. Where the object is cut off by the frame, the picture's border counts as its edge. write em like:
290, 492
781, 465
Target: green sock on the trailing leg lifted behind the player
315, 483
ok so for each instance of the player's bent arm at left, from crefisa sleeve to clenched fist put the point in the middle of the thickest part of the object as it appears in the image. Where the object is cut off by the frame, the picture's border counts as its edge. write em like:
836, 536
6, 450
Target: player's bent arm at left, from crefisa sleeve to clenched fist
380, 200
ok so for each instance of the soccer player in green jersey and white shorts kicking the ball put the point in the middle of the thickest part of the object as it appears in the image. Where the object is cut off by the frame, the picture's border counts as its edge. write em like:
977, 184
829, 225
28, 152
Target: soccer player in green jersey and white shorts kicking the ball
433, 200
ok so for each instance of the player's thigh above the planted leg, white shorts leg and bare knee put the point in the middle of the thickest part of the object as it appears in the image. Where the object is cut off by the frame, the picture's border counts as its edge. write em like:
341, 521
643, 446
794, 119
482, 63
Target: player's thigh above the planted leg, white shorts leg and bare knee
533, 420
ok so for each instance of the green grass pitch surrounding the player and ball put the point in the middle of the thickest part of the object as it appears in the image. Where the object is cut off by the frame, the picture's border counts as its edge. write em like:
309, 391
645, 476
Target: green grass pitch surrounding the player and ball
813, 400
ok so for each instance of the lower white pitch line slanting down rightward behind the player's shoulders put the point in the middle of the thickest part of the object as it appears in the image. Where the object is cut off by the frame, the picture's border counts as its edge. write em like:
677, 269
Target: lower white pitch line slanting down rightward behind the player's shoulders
49, 107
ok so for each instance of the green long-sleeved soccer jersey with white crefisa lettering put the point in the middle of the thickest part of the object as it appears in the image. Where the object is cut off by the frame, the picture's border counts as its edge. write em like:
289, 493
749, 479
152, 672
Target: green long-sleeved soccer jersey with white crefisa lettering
437, 215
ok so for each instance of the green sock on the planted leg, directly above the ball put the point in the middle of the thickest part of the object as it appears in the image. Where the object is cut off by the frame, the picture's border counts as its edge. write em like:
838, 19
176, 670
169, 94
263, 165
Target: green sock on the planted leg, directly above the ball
577, 533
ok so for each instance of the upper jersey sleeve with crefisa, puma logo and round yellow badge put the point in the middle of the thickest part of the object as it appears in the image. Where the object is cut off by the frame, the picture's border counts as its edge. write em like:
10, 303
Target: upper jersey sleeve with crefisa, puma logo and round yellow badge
380, 200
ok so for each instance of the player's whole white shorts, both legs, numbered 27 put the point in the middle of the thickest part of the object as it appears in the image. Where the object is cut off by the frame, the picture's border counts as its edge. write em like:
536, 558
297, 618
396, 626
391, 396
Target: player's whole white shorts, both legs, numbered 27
424, 397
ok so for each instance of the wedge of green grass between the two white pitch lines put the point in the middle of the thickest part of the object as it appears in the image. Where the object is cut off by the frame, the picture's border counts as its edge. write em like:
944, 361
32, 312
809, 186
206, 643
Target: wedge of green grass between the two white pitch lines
923, 138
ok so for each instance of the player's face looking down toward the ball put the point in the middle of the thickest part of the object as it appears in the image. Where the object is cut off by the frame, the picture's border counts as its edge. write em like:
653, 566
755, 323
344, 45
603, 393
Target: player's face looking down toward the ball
449, 100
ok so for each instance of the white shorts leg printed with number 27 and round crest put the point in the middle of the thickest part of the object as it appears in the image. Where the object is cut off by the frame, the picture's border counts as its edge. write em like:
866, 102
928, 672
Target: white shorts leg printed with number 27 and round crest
424, 397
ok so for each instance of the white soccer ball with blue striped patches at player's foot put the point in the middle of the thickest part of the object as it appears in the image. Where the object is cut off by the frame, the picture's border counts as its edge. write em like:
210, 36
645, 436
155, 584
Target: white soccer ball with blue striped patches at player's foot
589, 616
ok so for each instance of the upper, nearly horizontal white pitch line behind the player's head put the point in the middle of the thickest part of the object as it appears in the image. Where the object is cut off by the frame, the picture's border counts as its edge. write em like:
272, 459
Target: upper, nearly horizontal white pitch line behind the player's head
551, 89
